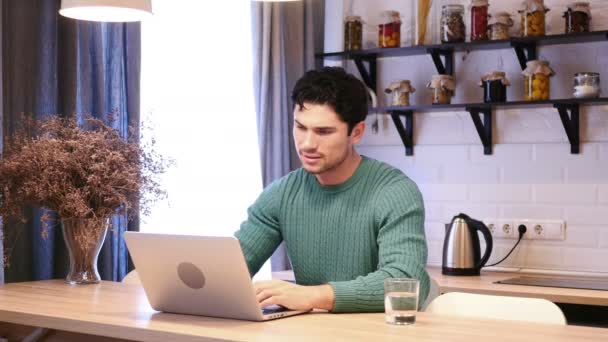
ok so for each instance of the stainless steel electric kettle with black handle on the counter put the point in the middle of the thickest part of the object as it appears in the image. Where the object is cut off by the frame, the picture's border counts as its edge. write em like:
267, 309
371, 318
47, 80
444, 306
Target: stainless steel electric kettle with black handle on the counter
461, 249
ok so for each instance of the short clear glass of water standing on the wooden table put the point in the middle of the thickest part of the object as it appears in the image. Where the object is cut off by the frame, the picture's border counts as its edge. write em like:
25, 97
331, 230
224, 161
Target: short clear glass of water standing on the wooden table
401, 300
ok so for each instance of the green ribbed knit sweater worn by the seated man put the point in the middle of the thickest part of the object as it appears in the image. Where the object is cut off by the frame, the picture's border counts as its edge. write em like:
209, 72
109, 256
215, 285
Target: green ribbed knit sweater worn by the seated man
352, 235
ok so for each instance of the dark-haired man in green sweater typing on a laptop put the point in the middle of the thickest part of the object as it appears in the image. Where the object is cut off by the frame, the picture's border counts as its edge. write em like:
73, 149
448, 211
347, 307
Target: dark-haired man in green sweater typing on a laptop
348, 221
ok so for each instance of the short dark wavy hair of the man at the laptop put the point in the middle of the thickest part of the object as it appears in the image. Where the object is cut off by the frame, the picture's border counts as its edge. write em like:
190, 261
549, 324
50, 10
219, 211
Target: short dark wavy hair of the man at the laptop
334, 87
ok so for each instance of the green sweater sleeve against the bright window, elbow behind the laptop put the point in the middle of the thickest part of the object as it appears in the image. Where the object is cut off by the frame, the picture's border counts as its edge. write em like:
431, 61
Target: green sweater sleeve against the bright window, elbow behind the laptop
260, 234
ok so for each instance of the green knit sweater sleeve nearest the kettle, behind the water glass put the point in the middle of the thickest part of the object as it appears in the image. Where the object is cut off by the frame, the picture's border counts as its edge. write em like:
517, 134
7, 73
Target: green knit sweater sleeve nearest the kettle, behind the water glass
401, 246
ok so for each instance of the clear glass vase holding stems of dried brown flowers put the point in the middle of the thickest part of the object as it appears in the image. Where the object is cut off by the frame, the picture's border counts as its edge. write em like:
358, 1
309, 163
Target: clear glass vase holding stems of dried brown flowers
84, 238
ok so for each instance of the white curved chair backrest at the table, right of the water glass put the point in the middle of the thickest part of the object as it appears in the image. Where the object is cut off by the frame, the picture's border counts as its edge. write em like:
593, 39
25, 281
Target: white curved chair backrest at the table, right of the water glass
497, 307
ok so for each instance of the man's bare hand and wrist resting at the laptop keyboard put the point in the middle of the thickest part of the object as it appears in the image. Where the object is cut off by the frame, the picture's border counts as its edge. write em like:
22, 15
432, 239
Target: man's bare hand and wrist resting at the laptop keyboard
294, 297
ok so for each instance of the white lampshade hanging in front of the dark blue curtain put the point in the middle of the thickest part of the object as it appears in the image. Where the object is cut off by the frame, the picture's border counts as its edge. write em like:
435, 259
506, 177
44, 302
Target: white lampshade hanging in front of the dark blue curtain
106, 10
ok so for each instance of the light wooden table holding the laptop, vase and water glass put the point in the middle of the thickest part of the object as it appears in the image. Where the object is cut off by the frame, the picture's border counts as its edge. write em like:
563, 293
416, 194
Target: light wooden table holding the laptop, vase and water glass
121, 311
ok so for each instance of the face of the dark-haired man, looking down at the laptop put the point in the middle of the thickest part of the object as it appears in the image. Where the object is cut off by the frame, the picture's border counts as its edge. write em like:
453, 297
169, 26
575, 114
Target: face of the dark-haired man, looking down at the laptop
321, 138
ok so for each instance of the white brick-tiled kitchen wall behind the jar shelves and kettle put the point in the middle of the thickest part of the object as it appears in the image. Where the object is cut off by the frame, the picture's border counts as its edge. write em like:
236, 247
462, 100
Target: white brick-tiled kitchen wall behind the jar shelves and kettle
531, 173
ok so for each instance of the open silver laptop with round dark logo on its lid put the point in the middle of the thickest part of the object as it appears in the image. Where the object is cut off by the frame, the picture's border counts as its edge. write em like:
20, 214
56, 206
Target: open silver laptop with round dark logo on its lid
197, 275
